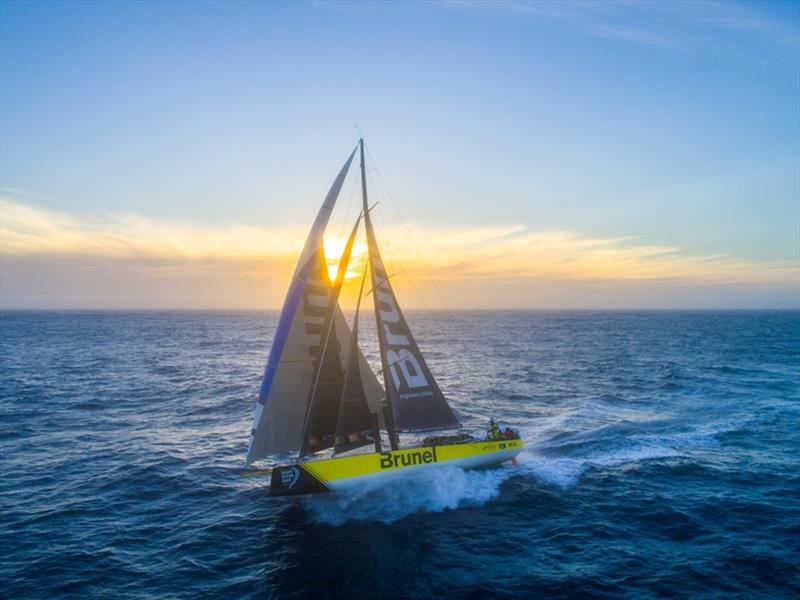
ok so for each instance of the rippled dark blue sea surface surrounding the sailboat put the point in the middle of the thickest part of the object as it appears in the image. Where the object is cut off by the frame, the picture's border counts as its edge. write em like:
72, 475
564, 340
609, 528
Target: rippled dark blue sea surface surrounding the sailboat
662, 460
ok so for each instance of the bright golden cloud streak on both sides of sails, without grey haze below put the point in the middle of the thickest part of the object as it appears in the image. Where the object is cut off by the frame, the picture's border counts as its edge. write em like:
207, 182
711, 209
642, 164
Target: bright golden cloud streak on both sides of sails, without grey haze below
451, 253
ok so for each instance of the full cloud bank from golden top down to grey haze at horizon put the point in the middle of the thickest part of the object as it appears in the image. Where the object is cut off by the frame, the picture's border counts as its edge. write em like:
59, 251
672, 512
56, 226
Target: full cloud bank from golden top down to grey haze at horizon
113, 260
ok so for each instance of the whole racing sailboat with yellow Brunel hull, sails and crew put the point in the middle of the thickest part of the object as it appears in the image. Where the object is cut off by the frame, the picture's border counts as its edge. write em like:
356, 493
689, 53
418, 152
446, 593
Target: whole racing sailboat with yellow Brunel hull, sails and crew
321, 406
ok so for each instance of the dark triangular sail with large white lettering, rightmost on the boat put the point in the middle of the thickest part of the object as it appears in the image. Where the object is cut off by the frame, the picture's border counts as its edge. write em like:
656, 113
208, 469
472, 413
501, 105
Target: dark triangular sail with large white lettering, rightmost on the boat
416, 400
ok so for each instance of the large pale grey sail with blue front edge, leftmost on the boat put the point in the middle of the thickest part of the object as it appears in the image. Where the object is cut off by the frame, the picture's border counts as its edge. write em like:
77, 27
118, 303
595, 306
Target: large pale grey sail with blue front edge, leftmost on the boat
281, 407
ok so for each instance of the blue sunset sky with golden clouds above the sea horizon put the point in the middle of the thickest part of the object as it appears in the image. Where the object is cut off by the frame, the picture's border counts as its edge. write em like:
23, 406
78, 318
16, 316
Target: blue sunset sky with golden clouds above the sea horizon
523, 155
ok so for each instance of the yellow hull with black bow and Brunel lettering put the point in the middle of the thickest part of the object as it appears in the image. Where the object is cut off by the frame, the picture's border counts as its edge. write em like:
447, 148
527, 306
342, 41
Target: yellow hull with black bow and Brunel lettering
341, 472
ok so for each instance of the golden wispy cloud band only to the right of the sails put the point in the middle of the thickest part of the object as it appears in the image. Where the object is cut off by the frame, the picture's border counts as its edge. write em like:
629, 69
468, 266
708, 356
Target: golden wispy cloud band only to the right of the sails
485, 254
